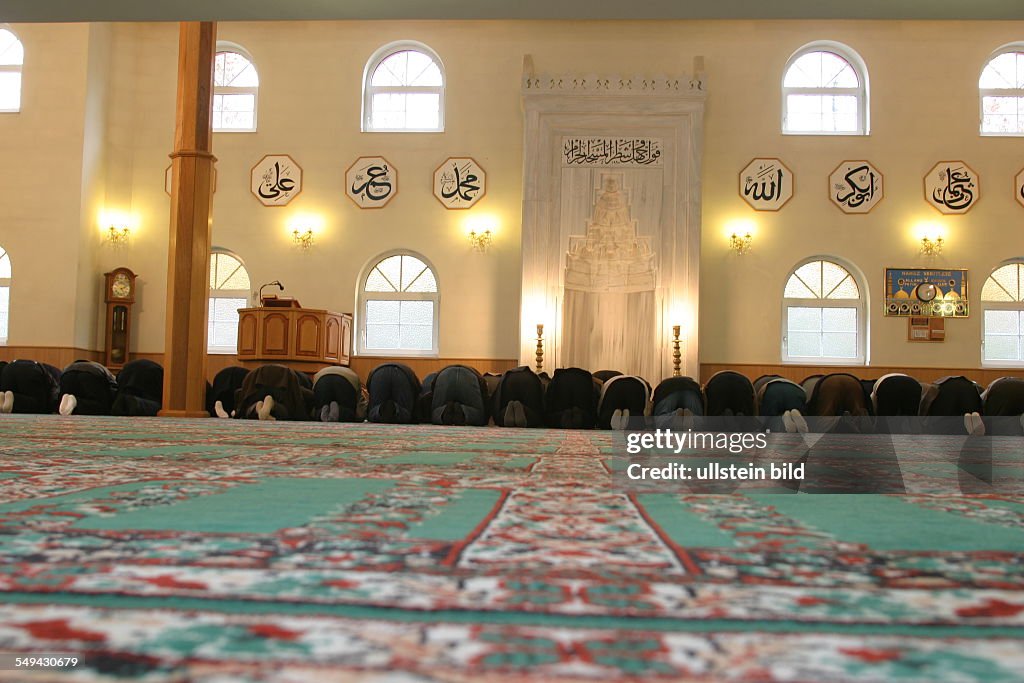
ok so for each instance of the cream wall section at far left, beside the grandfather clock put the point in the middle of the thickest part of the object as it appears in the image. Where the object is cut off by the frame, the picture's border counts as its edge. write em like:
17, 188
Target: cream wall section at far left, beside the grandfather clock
41, 178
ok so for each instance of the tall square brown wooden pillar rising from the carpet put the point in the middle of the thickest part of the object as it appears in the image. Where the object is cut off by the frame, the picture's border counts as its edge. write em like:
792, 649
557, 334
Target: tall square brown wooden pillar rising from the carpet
192, 206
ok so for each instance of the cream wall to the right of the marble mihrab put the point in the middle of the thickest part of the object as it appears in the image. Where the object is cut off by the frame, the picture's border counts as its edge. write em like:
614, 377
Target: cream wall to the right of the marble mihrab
924, 110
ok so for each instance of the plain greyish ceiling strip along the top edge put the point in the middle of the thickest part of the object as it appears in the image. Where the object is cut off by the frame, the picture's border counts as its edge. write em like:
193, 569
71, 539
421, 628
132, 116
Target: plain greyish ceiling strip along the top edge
174, 11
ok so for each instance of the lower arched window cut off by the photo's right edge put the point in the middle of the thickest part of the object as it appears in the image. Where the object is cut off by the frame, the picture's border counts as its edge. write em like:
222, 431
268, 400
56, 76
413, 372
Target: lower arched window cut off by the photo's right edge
1003, 316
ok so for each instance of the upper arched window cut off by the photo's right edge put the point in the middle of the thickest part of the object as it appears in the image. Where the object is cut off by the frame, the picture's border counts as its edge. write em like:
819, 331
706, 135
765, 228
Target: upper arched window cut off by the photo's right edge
1002, 92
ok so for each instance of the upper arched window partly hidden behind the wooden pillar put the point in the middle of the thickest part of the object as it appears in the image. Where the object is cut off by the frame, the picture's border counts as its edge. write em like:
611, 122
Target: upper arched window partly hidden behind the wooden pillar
236, 88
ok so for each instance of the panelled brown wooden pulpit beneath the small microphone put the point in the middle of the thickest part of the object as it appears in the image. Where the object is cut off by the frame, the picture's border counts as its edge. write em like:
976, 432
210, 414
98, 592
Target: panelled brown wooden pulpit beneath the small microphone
306, 339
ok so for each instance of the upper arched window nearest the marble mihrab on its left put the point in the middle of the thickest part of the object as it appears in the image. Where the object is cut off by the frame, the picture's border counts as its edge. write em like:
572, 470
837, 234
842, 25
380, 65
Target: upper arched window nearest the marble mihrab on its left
404, 90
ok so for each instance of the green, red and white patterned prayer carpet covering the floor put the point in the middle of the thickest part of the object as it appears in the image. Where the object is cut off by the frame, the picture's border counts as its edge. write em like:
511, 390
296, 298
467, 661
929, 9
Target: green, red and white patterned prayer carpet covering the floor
217, 550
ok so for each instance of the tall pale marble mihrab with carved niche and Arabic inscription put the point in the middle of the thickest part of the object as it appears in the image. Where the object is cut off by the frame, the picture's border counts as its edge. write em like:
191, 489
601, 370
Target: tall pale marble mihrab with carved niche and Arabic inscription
612, 221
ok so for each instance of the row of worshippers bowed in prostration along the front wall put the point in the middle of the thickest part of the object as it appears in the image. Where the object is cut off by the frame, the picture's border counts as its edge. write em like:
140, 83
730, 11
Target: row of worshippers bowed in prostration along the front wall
572, 398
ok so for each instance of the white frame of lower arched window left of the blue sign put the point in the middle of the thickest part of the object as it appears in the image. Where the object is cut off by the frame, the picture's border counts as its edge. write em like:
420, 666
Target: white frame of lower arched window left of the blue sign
864, 327
